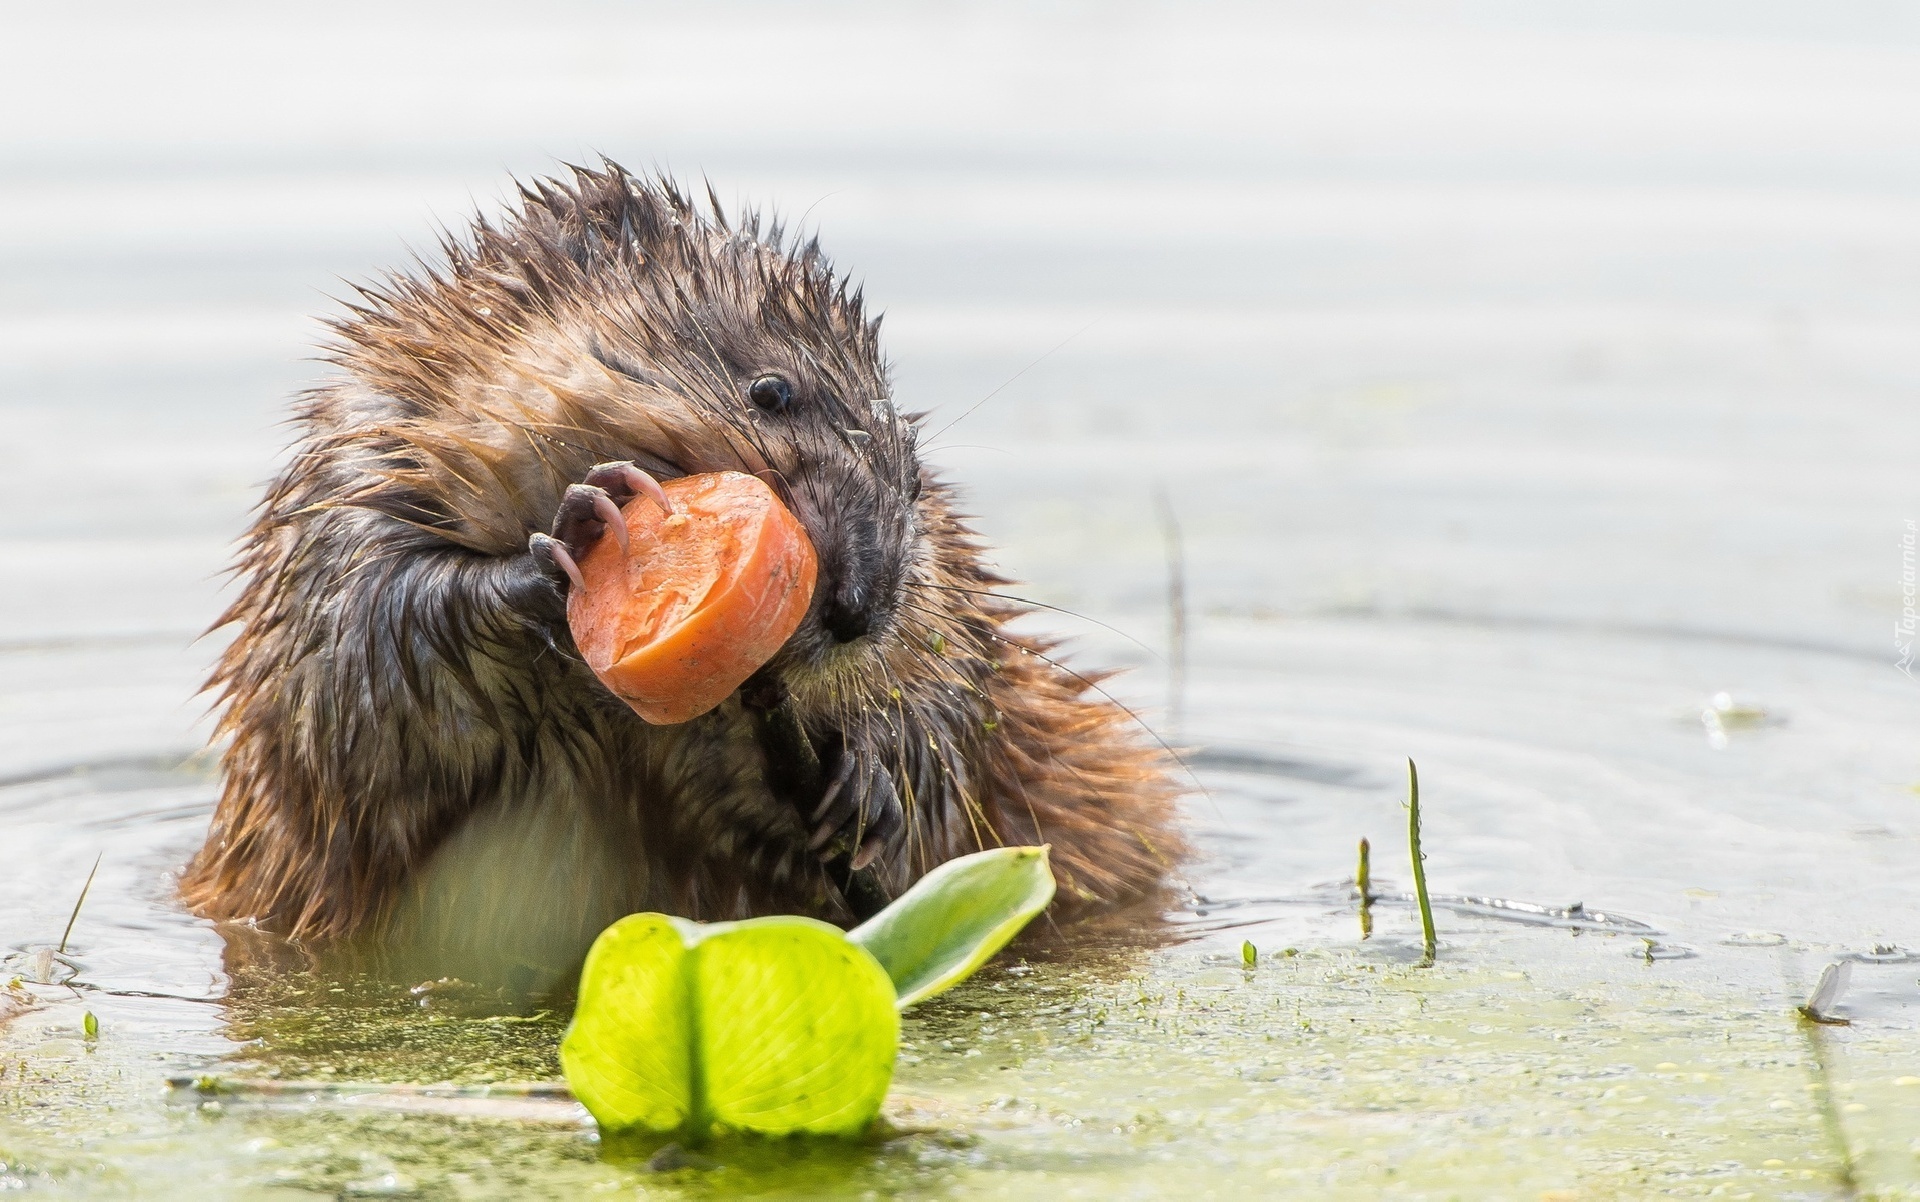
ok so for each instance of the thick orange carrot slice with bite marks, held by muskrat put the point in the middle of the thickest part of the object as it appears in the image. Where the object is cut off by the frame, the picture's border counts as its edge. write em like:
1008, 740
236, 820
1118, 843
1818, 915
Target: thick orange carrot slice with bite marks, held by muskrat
700, 598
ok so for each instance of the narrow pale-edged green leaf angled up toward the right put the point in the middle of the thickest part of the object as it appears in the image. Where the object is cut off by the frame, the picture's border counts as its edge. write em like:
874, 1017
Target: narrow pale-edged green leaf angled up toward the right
955, 919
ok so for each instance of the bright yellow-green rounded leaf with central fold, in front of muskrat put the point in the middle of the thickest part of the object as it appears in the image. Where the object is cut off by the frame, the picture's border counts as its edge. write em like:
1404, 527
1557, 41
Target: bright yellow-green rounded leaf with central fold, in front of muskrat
775, 1026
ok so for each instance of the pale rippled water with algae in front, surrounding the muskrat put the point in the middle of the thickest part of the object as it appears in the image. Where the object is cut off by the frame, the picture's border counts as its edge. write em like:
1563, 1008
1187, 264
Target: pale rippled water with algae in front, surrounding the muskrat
1520, 381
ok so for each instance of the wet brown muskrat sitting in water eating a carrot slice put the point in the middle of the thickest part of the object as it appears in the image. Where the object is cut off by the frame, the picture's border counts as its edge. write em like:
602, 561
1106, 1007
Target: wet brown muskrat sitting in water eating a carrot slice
412, 740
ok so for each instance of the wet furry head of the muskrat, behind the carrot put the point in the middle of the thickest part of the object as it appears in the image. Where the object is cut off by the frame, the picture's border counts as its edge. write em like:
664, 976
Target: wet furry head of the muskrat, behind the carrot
612, 318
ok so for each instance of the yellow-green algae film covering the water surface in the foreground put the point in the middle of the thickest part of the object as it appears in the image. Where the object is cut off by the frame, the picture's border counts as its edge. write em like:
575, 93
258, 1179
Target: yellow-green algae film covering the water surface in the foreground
1341, 1072
